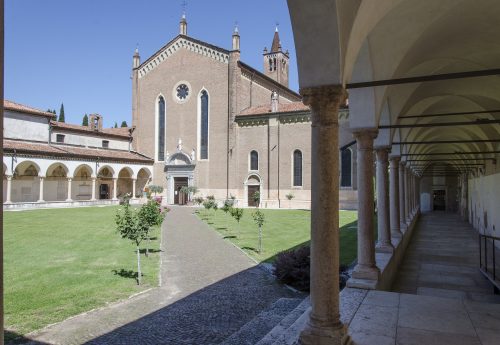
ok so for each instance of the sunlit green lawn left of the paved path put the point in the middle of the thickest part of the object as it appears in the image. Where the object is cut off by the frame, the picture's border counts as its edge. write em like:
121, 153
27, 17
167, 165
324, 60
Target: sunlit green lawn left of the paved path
62, 262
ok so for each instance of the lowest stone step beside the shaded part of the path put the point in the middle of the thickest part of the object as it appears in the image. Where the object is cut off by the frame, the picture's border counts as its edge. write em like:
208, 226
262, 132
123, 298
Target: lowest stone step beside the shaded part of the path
259, 326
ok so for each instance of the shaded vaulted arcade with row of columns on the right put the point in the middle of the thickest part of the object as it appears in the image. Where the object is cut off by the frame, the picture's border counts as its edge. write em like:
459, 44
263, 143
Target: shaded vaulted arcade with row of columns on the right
422, 79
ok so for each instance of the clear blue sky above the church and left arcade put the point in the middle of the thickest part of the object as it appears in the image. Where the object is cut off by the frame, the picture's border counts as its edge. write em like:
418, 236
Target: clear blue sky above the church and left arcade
80, 51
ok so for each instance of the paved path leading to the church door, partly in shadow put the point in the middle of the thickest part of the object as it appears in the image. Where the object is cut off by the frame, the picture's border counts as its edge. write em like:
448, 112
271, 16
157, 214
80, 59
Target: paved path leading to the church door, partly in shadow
210, 289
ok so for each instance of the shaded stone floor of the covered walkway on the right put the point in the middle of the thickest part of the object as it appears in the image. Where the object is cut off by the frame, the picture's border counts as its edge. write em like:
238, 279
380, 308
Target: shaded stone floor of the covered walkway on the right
442, 259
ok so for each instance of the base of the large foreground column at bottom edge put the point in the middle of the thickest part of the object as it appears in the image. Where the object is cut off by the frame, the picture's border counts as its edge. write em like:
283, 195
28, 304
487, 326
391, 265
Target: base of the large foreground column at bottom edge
312, 335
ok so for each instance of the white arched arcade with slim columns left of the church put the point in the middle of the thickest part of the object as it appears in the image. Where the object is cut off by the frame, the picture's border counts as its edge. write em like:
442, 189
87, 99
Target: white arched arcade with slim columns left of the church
36, 180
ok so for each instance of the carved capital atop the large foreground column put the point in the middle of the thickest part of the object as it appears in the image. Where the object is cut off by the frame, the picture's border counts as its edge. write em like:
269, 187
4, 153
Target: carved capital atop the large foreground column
324, 101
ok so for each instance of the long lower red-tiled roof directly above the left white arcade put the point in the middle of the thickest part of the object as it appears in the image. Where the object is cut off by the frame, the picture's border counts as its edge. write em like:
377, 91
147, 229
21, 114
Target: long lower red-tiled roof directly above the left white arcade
43, 149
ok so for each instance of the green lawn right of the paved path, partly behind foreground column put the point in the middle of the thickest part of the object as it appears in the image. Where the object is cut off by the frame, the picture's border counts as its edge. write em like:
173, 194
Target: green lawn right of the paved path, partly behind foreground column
283, 229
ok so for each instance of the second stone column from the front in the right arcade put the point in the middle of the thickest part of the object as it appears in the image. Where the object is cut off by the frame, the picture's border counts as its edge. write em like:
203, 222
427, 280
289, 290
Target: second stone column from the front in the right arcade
366, 268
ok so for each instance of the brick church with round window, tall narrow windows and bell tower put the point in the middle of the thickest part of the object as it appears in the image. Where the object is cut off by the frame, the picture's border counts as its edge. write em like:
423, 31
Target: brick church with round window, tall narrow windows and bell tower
211, 121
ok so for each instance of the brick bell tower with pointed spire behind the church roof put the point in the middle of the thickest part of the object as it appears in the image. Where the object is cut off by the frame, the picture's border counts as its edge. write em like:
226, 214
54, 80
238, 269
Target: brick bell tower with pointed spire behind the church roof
276, 61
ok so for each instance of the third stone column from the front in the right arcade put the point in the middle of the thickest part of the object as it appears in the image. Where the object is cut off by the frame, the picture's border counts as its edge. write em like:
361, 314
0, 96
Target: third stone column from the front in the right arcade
384, 230
